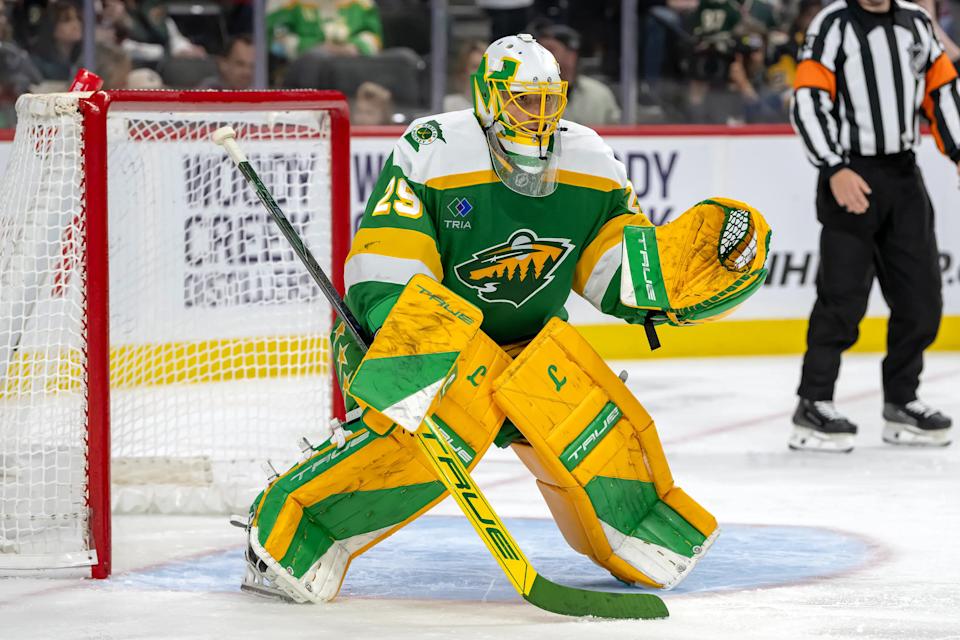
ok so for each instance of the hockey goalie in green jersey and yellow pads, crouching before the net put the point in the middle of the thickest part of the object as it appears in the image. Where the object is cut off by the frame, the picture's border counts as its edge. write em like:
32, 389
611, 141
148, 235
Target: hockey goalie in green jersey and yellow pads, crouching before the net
507, 208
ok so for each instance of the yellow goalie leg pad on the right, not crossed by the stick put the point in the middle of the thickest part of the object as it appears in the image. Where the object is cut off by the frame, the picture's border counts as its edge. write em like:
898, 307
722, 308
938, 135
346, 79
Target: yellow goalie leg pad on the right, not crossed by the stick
599, 464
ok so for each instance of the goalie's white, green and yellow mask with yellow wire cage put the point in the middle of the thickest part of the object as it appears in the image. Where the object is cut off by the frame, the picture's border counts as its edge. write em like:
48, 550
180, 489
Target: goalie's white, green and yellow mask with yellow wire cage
518, 98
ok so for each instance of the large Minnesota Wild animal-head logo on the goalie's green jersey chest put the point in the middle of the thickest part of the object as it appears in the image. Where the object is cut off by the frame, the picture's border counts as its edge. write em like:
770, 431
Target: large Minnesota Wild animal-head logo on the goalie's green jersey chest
515, 270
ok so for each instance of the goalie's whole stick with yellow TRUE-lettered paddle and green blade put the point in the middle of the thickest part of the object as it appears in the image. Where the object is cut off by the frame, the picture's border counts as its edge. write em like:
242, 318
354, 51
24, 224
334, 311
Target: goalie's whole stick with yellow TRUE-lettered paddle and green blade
532, 586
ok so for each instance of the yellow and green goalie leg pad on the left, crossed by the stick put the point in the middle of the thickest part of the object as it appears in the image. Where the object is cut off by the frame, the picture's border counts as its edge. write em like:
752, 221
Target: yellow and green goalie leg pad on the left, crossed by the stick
313, 520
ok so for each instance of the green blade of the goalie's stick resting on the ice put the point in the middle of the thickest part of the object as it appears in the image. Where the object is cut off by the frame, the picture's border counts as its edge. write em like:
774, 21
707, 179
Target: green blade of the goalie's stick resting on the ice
571, 601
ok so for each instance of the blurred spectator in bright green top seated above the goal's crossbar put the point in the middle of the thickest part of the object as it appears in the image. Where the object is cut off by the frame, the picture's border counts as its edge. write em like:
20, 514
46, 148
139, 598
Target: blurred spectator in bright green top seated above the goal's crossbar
340, 28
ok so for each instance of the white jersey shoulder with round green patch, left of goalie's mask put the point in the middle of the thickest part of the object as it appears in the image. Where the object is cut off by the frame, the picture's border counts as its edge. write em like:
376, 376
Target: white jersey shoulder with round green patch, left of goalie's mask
442, 145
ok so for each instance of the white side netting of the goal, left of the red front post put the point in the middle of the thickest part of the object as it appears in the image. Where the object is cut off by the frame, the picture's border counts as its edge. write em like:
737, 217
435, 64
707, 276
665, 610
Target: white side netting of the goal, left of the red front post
43, 509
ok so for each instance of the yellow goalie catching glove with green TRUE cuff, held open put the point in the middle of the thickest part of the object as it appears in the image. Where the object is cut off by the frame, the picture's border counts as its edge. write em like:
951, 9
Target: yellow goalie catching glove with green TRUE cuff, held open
697, 268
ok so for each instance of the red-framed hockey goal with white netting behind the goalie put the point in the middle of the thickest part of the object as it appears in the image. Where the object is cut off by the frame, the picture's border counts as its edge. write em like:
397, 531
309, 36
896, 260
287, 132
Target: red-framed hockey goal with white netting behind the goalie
176, 343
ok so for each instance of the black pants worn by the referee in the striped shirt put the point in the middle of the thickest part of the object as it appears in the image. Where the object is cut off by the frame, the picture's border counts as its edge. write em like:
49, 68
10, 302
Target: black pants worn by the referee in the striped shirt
893, 241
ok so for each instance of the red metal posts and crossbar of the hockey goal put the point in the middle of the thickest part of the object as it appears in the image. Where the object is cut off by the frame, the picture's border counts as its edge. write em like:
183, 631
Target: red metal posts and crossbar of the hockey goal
94, 110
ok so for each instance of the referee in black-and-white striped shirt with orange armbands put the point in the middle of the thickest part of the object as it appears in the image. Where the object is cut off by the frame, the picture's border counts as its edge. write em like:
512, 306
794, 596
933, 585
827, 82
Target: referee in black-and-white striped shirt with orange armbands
867, 69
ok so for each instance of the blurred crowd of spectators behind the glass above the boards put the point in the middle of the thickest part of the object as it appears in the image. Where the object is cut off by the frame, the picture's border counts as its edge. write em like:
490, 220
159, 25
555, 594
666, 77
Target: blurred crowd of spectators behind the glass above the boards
700, 61
